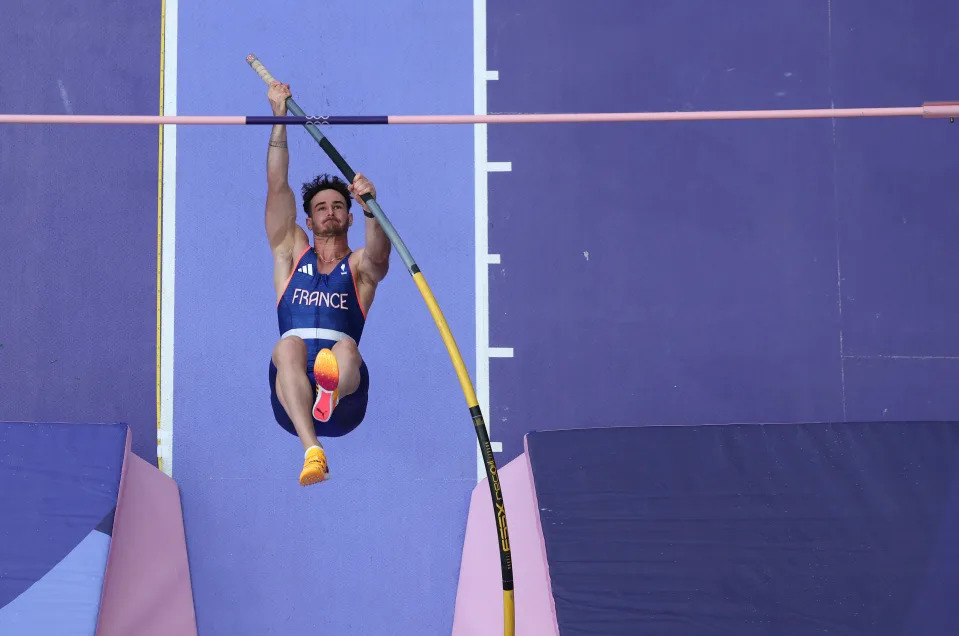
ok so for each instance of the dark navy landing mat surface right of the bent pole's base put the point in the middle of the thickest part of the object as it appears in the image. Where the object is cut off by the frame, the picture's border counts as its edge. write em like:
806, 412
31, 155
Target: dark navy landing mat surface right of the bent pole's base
752, 529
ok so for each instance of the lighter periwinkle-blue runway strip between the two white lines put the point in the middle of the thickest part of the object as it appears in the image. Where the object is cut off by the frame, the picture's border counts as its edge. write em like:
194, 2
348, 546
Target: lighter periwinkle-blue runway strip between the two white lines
376, 550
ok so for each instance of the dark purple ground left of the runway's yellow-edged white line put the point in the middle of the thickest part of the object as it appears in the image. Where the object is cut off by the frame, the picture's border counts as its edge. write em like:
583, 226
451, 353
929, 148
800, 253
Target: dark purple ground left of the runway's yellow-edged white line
78, 216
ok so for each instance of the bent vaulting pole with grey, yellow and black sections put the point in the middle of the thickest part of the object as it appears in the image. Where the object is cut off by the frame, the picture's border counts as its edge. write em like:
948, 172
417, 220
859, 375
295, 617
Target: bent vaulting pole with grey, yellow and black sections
479, 424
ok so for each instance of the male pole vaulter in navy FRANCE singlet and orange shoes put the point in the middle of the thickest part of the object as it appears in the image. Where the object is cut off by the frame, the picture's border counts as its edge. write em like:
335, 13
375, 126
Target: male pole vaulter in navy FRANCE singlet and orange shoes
318, 380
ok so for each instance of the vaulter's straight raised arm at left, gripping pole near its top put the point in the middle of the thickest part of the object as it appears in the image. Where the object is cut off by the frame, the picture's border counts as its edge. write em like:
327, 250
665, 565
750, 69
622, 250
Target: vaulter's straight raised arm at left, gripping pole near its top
280, 202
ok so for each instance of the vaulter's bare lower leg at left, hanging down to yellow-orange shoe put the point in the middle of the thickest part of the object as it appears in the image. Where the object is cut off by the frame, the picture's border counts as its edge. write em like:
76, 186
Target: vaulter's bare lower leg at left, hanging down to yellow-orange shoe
293, 387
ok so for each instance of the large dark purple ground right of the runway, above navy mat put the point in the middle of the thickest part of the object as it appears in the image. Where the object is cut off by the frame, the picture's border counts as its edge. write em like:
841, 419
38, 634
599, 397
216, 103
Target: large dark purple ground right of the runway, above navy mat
736, 271
